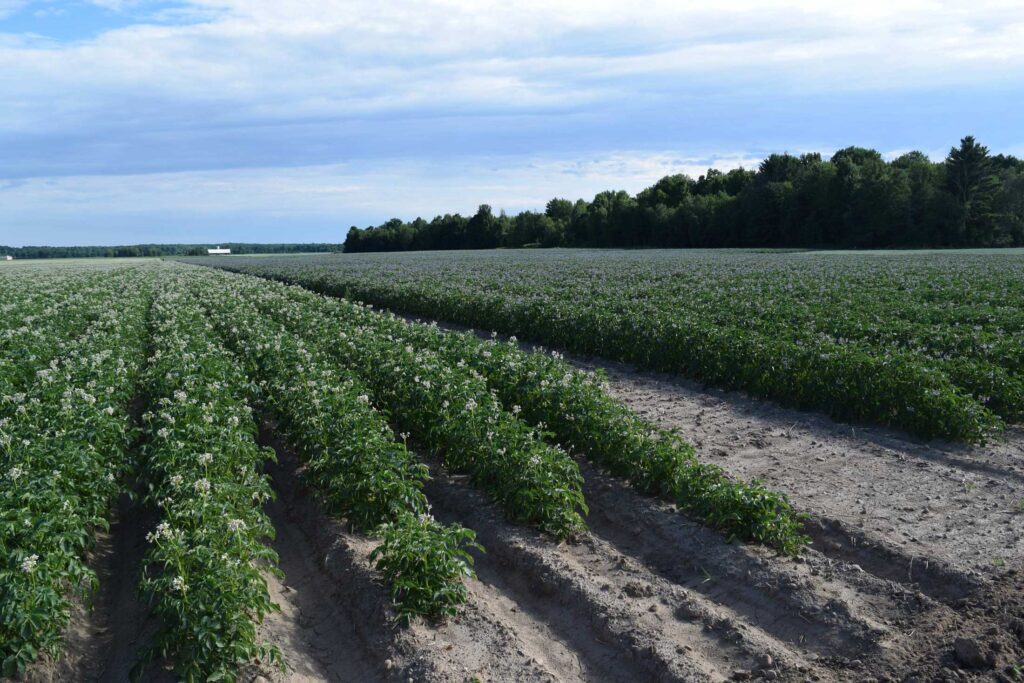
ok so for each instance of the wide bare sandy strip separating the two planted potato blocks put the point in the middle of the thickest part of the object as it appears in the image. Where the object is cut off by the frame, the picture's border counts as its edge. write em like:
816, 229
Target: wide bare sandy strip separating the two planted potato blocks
938, 502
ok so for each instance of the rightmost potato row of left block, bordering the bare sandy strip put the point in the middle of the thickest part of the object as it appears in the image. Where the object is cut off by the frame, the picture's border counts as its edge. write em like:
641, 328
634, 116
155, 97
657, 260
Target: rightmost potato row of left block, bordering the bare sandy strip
582, 416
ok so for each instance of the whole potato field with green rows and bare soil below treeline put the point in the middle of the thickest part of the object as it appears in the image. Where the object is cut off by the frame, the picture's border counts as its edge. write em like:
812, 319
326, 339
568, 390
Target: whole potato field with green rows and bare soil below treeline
719, 466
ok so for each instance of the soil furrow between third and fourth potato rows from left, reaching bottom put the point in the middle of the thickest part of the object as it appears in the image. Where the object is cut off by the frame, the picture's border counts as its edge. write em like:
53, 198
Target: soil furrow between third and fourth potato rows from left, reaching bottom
611, 610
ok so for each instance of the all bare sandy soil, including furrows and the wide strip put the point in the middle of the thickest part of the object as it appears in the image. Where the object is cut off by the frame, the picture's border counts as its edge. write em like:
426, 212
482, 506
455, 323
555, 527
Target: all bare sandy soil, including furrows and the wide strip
915, 573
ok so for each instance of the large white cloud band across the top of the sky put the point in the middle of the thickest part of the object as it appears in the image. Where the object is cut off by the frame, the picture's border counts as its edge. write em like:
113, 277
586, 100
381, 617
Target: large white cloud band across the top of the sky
266, 59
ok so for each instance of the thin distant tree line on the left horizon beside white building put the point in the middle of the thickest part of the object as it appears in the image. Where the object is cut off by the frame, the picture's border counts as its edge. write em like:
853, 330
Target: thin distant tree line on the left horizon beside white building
163, 250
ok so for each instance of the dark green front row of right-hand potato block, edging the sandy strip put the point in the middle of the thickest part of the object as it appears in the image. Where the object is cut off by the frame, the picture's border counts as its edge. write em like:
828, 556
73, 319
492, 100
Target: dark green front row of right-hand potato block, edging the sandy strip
848, 381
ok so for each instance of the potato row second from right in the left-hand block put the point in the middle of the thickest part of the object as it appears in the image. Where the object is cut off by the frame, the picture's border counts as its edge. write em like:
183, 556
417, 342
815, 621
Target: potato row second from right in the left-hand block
447, 409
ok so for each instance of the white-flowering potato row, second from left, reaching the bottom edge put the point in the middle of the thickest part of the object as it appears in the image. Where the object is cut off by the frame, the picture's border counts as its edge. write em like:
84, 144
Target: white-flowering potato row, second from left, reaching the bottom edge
205, 564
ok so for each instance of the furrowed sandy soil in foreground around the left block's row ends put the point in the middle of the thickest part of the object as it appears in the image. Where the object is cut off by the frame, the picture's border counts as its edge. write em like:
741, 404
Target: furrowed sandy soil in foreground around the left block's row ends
648, 596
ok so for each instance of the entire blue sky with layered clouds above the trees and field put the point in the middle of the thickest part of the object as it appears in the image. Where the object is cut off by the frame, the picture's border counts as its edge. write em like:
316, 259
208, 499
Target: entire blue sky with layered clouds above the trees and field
196, 121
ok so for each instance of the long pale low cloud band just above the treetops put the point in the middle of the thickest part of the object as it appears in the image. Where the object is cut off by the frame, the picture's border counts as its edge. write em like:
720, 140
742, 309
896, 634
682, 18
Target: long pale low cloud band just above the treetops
354, 193
